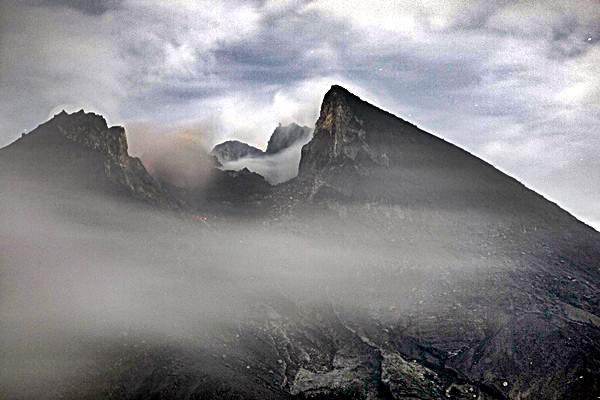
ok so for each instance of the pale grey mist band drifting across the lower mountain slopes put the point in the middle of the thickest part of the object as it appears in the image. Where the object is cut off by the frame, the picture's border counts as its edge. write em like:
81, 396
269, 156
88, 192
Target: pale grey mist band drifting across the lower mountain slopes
84, 275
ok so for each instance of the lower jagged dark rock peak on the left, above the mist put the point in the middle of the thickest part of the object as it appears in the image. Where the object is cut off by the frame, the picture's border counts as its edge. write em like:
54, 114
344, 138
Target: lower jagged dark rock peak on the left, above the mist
80, 150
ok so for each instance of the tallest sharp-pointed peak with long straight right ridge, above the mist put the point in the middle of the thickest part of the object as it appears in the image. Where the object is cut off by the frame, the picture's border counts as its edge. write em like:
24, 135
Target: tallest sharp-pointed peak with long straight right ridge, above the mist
363, 153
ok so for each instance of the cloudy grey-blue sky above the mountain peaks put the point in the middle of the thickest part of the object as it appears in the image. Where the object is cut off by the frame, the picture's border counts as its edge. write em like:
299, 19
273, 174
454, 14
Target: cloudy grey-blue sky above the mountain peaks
515, 83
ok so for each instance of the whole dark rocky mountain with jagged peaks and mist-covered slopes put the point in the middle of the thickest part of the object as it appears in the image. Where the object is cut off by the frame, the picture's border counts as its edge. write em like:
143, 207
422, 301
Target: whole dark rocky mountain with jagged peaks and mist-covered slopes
395, 266
